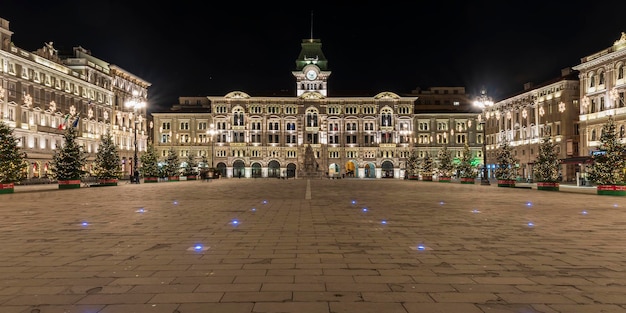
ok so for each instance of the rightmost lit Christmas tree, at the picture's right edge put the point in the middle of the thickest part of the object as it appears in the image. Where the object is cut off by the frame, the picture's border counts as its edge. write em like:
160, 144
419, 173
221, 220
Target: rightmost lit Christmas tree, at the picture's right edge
608, 163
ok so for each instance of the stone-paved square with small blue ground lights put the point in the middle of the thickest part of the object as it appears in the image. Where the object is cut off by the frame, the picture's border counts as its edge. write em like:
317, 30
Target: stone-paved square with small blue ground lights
311, 246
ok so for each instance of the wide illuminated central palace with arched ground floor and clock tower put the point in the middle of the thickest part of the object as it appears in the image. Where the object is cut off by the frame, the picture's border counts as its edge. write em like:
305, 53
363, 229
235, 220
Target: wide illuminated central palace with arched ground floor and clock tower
356, 136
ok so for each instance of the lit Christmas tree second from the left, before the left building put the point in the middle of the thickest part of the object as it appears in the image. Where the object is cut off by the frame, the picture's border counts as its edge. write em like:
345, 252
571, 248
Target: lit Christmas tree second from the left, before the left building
68, 161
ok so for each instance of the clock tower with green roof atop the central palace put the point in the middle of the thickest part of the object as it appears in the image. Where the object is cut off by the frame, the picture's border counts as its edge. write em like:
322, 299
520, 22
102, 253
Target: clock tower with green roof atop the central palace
311, 71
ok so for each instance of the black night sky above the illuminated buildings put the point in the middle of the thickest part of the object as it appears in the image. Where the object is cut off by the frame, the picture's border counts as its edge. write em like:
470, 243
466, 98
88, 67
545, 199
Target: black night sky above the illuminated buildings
208, 48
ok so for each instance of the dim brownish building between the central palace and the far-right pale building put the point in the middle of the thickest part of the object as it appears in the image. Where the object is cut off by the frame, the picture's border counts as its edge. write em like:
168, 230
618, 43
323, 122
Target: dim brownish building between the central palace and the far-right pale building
549, 110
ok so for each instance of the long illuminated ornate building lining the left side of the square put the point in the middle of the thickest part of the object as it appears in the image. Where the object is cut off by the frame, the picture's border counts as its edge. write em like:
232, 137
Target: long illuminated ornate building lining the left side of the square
39, 89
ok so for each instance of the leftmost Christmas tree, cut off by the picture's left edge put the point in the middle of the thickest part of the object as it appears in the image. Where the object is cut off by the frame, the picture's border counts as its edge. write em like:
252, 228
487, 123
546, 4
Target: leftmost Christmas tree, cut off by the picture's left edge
11, 157
